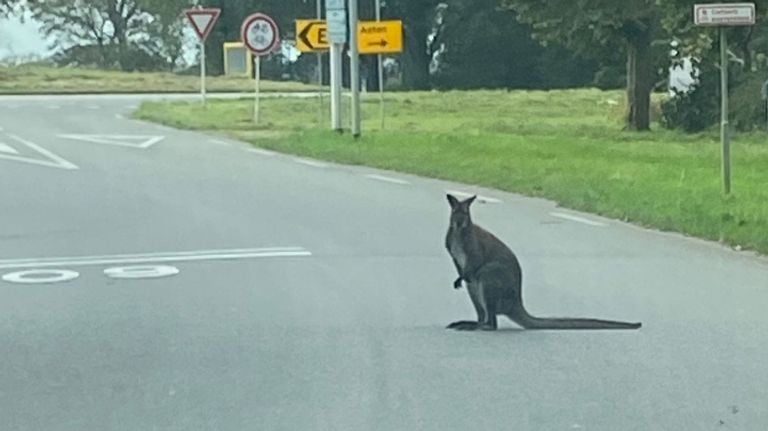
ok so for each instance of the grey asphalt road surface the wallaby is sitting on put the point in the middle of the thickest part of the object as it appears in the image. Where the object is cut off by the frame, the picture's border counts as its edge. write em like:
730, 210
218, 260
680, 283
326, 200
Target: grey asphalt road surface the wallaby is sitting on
310, 296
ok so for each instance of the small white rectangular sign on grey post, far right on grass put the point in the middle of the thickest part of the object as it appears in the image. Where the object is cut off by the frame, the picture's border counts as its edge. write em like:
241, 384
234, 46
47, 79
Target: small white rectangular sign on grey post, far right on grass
723, 15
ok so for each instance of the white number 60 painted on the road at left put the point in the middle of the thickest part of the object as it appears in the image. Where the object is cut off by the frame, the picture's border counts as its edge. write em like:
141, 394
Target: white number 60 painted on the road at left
40, 276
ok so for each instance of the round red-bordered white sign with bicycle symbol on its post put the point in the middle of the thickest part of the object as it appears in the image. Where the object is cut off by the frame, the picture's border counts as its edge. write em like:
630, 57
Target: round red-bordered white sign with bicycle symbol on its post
260, 34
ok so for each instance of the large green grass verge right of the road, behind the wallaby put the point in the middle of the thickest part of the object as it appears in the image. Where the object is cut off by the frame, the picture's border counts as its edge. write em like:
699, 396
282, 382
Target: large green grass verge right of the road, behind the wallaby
564, 145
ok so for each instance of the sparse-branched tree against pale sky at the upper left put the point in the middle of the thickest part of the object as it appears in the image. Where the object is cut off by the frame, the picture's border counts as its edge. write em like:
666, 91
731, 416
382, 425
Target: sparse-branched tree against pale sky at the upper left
123, 31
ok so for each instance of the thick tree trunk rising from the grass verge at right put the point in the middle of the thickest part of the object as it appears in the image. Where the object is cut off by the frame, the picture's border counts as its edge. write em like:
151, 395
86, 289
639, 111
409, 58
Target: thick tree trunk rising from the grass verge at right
639, 82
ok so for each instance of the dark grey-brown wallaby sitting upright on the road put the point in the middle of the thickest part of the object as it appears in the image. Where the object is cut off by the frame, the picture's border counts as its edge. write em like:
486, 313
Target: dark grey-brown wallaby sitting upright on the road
494, 278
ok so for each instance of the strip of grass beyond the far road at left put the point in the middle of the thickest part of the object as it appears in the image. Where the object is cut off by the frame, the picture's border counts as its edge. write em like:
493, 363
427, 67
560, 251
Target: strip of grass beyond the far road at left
33, 78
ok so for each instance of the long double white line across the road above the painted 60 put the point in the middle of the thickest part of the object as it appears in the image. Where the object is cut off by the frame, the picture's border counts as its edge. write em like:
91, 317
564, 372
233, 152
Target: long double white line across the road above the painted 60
184, 256
